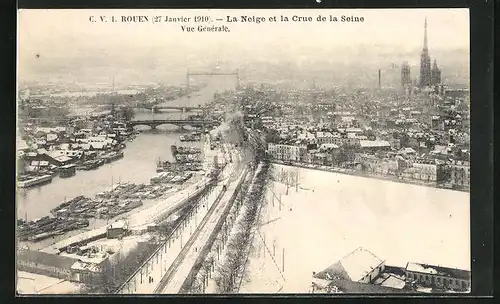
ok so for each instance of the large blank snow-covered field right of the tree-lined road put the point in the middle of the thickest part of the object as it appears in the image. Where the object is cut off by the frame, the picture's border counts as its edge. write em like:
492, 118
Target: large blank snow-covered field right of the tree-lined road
330, 214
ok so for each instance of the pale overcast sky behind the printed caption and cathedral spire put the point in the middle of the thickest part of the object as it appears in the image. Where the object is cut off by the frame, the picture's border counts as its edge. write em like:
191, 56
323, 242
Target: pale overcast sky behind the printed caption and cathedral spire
68, 34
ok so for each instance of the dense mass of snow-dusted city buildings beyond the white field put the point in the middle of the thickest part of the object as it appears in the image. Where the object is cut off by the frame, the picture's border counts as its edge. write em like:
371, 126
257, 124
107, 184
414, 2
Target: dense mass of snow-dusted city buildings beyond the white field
425, 139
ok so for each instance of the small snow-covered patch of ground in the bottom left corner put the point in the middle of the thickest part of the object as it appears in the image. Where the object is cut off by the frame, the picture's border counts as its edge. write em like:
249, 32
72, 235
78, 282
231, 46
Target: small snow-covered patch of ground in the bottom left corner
30, 283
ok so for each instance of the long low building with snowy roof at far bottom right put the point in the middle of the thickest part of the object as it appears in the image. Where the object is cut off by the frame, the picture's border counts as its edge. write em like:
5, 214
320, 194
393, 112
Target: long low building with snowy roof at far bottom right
437, 276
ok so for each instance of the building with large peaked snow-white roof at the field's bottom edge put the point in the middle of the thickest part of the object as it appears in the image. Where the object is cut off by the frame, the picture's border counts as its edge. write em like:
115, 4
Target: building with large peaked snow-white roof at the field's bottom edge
358, 266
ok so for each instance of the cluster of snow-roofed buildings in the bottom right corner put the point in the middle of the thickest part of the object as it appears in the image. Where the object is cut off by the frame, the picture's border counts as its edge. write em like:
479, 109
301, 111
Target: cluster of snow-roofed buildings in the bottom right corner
363, 272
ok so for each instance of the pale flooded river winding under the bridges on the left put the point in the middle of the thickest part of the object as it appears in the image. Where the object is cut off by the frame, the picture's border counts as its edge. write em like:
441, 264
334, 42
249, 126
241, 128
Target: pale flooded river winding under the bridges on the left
138, 164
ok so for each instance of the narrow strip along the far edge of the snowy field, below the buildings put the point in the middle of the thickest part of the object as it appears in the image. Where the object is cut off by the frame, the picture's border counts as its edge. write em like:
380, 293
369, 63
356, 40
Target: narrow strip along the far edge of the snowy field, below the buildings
367, 175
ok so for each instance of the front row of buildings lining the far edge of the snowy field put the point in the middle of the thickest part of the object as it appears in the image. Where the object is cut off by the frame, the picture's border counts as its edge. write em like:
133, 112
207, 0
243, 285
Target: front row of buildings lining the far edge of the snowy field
376, 157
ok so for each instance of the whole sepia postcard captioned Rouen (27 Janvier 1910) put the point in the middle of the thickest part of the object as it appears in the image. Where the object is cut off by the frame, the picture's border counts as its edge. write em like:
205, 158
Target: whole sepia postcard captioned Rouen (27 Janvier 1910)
211, 151
